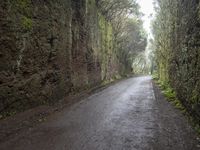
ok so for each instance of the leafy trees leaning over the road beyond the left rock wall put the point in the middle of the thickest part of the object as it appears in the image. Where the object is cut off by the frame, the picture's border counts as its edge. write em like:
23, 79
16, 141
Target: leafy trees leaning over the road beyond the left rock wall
128, 37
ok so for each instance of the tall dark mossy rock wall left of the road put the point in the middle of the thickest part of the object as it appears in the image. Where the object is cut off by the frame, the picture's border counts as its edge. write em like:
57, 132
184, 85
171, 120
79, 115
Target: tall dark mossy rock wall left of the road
49, 49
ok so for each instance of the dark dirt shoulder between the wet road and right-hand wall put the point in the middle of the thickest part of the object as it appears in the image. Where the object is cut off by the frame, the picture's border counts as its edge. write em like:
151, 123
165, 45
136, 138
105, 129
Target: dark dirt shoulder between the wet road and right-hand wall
174, 129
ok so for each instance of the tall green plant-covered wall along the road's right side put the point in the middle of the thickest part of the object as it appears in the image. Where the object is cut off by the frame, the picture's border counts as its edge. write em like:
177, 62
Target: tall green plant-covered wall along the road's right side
176, 52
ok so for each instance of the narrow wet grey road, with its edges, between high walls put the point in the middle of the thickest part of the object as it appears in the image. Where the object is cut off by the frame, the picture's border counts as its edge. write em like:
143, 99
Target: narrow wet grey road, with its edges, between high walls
124, 116
